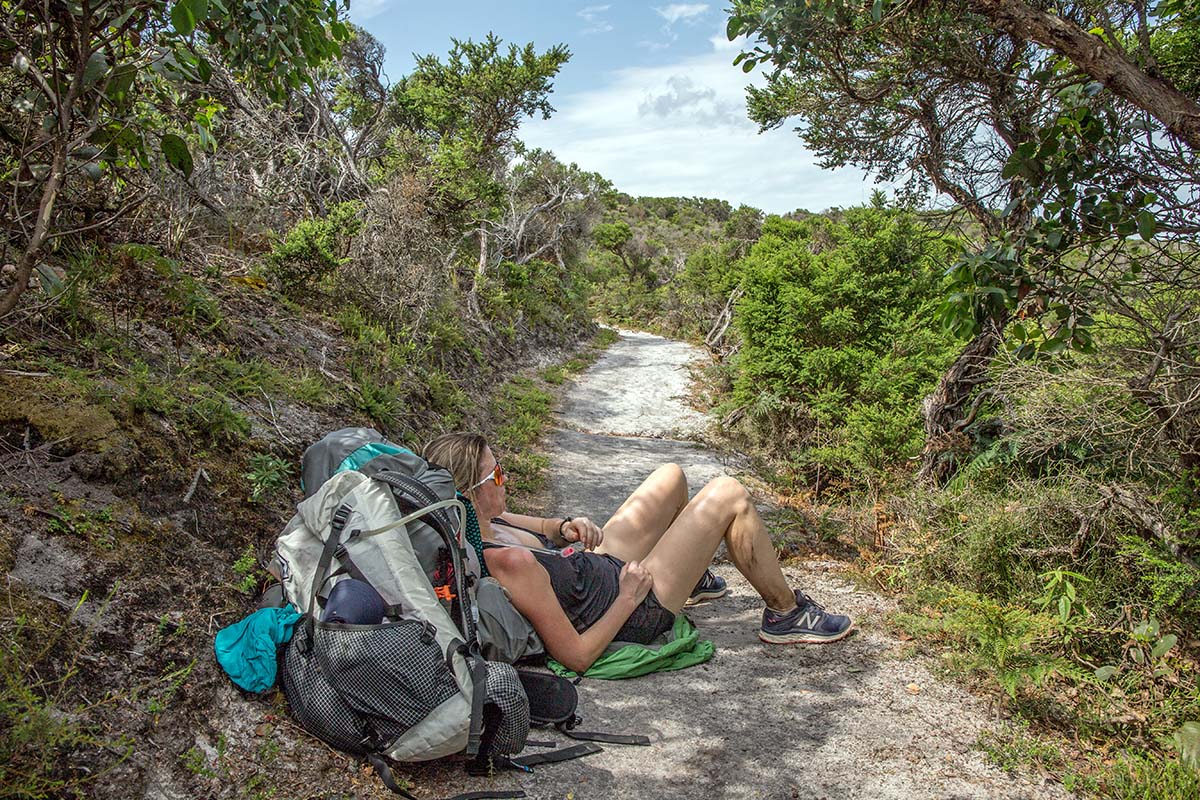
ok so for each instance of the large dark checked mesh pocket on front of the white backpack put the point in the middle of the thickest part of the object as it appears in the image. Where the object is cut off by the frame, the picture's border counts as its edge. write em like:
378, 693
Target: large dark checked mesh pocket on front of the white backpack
362, 679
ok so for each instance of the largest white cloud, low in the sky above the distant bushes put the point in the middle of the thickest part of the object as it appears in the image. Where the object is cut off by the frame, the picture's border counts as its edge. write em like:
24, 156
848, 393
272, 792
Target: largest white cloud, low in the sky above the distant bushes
681, 130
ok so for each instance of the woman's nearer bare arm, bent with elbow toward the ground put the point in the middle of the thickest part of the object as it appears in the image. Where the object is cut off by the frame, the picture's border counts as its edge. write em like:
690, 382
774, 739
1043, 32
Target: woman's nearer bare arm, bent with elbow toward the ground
529, 585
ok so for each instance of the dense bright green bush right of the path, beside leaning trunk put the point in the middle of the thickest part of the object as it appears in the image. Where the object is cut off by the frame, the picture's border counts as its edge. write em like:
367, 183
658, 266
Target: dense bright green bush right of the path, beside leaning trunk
838, 342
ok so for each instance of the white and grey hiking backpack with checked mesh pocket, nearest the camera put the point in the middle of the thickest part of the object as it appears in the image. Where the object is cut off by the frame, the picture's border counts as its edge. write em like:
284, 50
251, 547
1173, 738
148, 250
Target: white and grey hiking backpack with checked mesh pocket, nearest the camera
416, 687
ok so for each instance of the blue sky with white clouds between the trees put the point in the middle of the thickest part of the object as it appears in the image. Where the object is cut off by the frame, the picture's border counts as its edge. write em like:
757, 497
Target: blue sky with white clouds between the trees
650, 99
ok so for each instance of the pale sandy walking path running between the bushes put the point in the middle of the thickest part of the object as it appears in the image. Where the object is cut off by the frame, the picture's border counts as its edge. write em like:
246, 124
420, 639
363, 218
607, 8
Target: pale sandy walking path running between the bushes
758, 721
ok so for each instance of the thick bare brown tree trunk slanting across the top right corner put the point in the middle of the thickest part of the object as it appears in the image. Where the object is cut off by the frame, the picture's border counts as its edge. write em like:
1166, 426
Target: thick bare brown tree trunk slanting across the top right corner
1102, 63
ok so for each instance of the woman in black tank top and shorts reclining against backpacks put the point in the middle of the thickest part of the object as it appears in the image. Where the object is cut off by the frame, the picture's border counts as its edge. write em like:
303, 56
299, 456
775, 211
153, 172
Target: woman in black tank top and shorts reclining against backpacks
628, 581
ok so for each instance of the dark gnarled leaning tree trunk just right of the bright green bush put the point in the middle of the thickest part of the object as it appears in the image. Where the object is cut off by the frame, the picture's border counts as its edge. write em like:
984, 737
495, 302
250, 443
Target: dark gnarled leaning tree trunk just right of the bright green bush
946, 411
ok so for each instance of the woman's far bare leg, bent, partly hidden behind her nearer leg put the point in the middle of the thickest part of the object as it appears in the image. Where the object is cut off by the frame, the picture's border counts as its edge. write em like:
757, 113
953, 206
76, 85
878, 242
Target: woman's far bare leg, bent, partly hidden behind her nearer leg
646, 515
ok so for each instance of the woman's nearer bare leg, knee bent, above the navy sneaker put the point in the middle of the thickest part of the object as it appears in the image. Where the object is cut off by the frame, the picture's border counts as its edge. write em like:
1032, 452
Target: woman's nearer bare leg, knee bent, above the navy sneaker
723, 510
